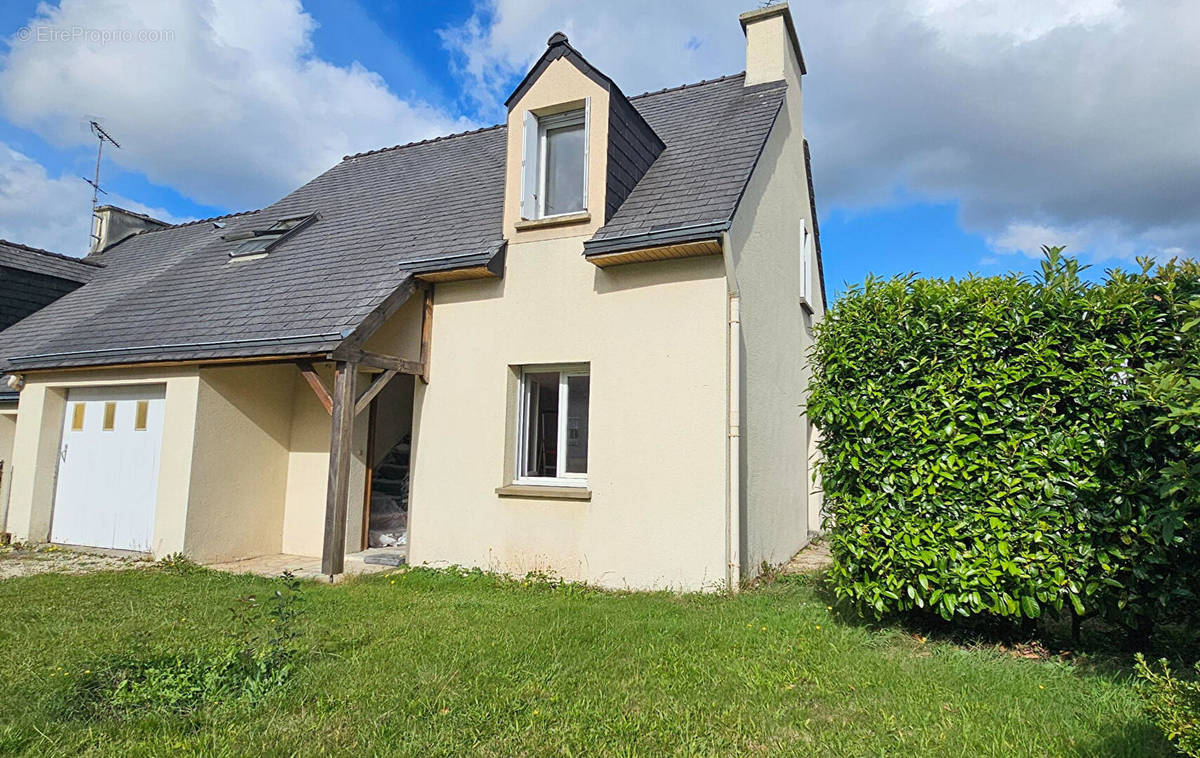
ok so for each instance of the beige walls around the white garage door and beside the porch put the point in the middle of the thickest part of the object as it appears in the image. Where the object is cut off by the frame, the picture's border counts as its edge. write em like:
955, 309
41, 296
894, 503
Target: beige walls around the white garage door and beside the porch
243, 466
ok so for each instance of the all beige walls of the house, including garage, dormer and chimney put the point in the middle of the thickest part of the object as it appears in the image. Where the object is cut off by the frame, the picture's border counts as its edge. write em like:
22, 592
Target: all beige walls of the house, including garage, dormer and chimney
699, 448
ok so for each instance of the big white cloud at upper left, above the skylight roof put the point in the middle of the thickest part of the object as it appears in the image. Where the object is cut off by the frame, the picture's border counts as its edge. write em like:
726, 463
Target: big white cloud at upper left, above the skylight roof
230, 106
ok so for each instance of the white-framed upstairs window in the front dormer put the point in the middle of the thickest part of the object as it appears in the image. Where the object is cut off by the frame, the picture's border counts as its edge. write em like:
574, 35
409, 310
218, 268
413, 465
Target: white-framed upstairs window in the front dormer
555, 164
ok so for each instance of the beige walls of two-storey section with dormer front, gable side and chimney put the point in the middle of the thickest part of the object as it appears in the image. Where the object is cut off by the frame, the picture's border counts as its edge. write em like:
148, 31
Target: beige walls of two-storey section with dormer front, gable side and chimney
657, 340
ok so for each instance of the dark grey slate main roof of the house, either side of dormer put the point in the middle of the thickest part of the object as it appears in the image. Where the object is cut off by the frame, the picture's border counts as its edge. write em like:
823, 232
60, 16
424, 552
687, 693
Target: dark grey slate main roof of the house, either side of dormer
383, 218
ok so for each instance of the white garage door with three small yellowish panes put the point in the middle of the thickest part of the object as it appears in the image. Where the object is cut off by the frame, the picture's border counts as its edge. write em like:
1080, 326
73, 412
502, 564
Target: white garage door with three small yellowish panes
109, 468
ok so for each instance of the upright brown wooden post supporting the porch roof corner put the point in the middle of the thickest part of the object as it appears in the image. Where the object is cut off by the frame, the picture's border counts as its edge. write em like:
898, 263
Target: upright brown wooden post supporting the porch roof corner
333, 557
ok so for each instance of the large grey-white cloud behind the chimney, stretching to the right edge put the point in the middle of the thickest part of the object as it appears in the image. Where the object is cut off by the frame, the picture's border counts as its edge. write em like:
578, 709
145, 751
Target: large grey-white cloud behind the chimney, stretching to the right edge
1073, 118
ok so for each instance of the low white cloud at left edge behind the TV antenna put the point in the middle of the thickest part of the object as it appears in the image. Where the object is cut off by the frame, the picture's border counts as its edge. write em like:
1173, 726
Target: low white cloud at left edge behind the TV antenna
51, 213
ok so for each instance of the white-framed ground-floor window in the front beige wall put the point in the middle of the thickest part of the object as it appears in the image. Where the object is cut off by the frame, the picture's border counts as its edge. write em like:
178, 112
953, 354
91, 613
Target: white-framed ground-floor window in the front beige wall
553, 425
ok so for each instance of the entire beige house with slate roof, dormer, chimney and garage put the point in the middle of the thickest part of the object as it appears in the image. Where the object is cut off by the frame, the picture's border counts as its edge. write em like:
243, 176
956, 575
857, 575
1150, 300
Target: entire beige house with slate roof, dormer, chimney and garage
573, 342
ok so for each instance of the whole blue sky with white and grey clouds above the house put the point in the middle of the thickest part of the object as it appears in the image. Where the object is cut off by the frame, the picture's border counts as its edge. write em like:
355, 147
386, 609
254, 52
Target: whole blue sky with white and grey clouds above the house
931, 181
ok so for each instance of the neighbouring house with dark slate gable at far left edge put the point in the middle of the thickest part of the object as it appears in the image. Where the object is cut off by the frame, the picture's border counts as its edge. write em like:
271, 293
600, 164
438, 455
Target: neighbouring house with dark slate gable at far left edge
31, 279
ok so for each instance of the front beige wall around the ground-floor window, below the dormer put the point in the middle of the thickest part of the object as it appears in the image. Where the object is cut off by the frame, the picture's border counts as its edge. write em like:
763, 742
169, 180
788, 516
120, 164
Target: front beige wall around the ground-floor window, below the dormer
653, 336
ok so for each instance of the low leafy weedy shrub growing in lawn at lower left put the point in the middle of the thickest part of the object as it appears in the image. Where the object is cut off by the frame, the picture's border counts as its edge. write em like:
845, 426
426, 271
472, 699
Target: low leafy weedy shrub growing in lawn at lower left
255, 663
